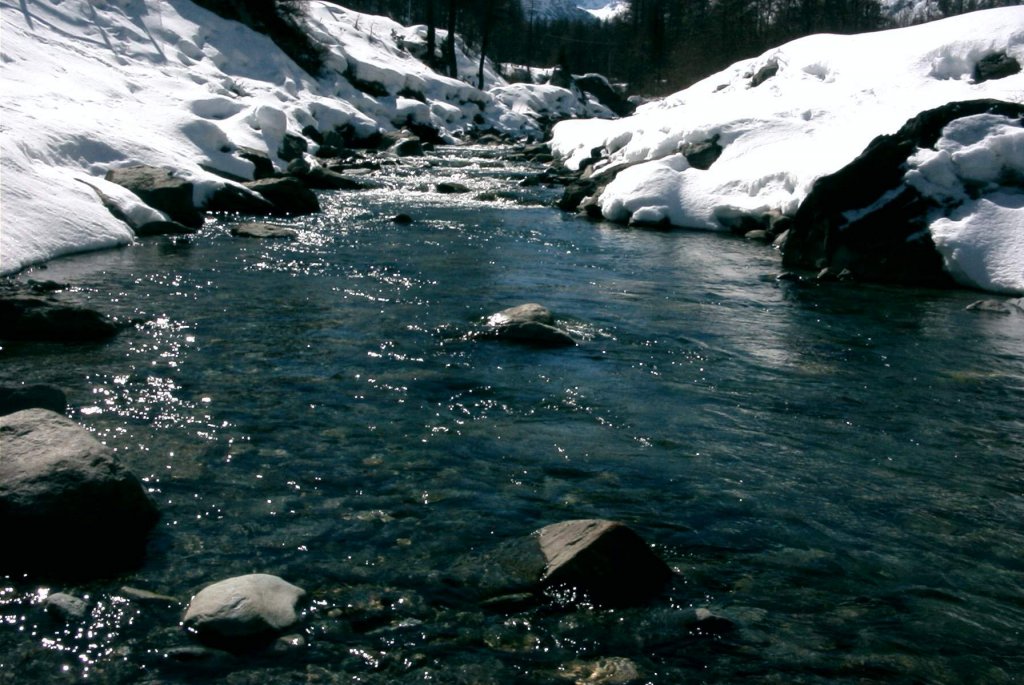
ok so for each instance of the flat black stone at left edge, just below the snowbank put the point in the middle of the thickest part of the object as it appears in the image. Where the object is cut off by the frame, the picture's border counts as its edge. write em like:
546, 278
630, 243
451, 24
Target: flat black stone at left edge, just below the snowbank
48, 320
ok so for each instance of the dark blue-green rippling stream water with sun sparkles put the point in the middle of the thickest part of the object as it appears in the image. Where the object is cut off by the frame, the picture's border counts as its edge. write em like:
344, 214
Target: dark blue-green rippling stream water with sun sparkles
835, 470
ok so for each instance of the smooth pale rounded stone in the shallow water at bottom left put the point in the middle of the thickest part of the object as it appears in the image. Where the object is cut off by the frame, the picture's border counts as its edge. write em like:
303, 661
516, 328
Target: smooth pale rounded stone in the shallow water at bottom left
244, 612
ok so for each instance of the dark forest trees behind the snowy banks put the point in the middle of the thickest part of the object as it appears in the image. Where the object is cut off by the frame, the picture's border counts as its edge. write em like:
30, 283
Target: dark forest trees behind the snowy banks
659, 47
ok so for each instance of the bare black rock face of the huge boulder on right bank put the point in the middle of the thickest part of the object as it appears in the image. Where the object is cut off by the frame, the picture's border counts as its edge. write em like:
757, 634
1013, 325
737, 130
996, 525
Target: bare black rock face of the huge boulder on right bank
868, 220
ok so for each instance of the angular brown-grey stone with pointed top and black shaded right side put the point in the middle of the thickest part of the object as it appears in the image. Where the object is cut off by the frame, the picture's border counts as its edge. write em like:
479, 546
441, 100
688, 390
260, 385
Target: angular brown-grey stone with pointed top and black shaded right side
606, 561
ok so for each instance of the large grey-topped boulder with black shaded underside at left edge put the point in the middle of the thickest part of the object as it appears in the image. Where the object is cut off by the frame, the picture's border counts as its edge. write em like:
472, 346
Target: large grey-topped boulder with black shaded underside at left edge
68, 507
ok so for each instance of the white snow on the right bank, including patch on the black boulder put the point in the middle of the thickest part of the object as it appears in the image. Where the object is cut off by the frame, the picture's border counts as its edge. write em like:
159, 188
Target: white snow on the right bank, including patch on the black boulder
830, 98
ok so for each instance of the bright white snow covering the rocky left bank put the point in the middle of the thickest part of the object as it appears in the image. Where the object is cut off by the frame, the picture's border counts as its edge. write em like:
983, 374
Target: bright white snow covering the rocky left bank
93, 85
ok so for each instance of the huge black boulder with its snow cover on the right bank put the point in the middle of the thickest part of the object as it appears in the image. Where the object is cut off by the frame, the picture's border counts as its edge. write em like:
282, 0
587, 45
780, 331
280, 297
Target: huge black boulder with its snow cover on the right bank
883, 216
